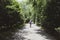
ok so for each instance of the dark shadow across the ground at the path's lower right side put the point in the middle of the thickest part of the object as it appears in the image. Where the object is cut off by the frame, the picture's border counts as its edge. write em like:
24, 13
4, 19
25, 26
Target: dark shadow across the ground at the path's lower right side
54, 35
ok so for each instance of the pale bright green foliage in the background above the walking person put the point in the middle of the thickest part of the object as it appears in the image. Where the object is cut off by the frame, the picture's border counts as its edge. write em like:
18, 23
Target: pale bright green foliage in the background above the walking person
26, 11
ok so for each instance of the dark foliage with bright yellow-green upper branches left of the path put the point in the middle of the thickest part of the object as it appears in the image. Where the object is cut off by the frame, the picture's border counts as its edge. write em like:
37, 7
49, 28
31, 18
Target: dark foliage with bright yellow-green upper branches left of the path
10, 14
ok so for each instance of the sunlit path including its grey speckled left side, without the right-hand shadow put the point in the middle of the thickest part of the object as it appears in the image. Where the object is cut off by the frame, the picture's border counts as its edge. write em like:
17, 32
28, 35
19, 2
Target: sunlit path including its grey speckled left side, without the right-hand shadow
30, 33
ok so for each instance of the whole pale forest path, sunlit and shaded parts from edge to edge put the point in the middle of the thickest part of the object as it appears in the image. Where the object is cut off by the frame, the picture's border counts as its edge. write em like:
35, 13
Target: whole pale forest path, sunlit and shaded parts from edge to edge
33, 33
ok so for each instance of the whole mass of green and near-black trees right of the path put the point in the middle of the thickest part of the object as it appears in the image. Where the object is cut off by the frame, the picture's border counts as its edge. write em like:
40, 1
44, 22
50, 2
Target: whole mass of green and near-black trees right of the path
46, 13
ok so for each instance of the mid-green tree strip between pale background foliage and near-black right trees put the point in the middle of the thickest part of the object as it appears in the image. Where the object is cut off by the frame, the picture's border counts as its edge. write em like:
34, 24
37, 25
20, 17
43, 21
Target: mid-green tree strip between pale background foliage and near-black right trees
39, 7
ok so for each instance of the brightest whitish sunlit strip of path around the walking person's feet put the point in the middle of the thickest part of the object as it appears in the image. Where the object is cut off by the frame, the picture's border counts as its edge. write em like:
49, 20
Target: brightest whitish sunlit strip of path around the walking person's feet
32, 35
